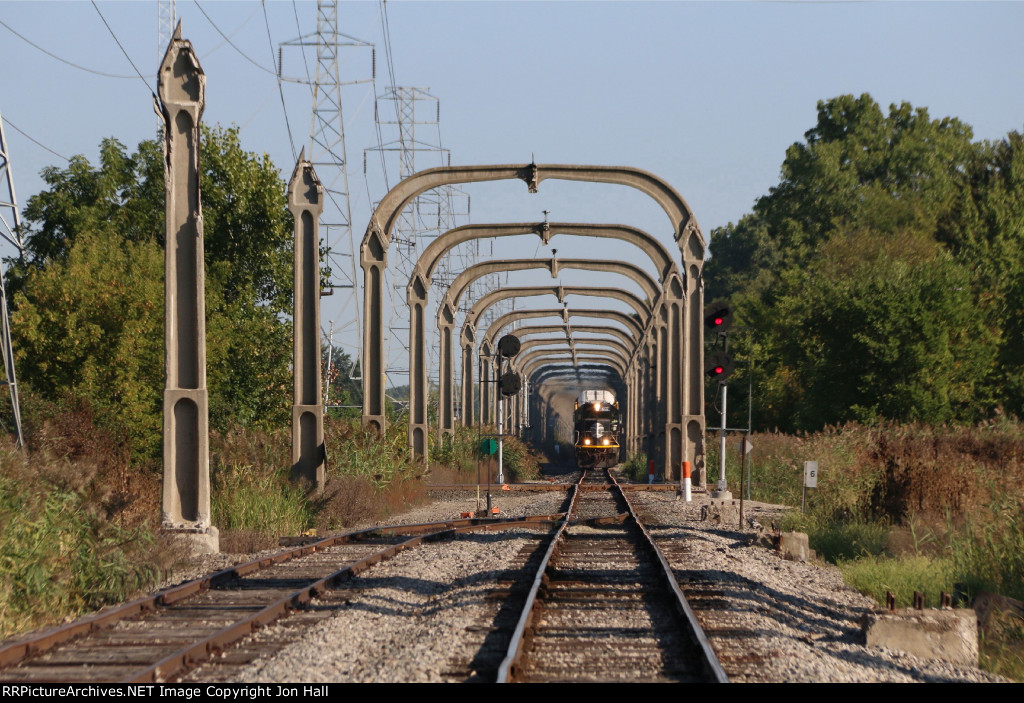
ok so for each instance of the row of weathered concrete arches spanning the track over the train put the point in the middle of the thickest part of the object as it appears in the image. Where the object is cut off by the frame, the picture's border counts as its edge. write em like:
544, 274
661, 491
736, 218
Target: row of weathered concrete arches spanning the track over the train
658, 362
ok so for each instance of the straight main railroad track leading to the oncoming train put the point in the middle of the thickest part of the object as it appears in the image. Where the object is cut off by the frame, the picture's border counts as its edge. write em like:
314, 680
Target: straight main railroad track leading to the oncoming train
606, 605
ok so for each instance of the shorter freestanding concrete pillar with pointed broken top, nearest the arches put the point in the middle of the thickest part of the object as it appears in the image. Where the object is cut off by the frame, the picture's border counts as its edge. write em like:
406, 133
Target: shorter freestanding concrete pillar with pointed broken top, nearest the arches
306, 200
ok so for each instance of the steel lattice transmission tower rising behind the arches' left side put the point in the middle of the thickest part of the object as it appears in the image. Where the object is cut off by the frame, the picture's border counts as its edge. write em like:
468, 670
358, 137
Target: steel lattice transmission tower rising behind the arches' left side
429, 216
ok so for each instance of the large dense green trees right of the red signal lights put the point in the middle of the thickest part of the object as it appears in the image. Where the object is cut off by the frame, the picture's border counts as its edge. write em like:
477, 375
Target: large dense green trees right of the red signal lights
882, 277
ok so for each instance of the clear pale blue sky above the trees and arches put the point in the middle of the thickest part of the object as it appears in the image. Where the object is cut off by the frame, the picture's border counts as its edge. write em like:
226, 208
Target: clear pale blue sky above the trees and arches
708, 96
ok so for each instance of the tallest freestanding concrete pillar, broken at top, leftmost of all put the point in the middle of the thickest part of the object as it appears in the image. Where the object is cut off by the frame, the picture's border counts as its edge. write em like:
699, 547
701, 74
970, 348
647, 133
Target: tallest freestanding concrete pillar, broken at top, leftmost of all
182, 86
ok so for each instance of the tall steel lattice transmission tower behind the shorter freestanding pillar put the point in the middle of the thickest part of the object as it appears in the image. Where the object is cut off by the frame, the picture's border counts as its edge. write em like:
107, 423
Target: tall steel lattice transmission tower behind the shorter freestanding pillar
328, 154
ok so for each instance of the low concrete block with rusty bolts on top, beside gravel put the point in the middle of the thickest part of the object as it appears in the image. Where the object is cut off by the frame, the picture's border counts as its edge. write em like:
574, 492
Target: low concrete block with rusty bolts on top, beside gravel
950, 635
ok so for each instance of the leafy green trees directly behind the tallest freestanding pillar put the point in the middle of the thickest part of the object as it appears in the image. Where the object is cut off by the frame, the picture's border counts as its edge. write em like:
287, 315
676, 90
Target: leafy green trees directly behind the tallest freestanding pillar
89, 298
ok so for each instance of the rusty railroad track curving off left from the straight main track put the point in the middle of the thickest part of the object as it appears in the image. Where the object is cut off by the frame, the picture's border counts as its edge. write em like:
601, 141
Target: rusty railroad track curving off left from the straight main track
162, 636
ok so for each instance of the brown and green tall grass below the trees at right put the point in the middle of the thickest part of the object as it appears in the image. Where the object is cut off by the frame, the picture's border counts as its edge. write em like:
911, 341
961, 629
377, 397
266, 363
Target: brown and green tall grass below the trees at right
911, 508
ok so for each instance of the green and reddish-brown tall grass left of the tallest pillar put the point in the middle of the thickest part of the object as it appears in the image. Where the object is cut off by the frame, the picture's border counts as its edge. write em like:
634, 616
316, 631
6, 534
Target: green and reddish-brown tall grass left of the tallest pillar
78, 524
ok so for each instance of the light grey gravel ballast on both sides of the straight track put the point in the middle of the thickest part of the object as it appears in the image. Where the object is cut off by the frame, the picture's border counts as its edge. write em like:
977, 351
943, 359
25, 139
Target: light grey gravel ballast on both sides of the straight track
424, 617
